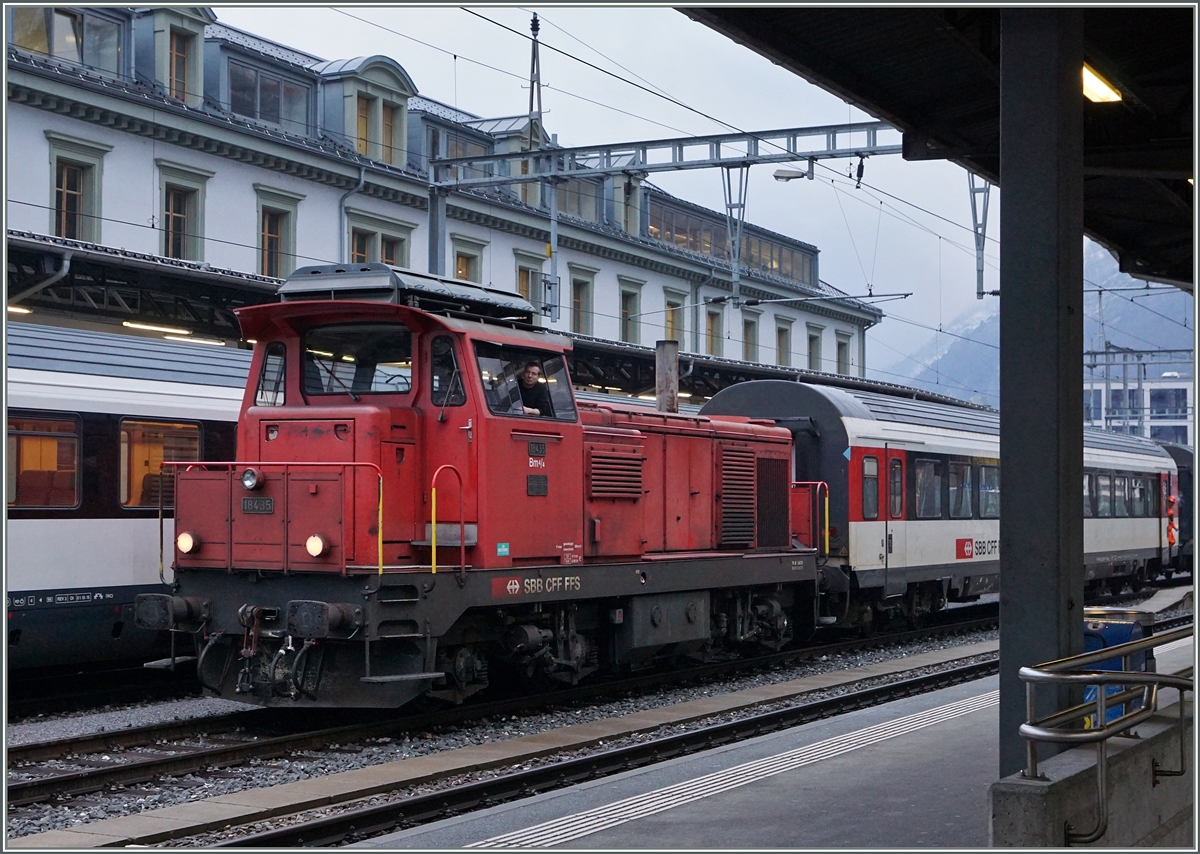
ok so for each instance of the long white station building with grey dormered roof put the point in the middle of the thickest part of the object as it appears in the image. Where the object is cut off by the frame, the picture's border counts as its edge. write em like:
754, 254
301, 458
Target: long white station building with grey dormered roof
196, 166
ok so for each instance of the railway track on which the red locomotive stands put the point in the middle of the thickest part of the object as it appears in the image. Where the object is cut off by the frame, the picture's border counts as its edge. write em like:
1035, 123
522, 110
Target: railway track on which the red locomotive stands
91, 763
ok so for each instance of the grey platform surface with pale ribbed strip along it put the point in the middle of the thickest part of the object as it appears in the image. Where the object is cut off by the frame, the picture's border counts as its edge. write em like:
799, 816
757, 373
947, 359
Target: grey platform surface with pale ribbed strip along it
922, 767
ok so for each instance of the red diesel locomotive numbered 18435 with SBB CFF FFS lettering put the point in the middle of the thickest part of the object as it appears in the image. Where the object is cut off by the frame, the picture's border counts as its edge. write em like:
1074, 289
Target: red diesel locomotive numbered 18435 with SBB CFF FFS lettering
399, 520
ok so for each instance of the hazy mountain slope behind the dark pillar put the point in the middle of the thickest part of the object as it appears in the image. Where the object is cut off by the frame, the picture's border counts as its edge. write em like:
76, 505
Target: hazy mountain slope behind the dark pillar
1149, 321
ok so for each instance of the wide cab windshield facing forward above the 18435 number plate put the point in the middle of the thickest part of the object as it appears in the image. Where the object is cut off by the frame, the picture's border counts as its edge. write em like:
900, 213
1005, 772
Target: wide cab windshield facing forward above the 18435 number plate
358, 359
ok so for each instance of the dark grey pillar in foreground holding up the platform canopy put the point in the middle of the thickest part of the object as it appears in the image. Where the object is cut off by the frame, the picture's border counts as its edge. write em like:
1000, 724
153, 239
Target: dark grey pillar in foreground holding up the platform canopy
1041, 362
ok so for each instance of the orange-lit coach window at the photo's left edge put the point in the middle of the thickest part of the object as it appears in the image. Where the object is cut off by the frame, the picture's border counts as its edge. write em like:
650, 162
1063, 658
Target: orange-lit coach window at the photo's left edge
43, 470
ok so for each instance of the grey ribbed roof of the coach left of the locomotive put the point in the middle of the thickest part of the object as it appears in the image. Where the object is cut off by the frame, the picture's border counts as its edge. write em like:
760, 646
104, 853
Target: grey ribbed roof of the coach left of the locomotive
34, 347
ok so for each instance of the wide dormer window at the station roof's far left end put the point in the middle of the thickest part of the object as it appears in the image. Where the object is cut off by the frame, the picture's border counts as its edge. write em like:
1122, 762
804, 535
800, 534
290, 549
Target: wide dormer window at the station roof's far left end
73, 35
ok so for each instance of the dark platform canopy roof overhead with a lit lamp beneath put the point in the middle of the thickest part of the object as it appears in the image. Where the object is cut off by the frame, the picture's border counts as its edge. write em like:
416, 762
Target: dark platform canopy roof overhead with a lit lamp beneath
935, 75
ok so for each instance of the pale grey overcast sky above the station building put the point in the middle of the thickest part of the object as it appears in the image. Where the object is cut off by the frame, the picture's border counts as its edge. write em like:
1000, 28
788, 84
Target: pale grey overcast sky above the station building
895, 246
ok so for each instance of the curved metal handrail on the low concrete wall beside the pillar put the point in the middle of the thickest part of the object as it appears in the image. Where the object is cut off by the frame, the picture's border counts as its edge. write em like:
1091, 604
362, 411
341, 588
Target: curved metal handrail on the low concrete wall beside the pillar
1072, 726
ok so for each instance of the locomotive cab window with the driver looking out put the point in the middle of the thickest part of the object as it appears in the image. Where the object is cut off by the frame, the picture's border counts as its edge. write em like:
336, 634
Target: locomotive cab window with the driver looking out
523, 382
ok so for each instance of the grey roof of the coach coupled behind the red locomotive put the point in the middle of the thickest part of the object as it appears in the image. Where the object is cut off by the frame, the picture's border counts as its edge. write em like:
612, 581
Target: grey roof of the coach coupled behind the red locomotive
787, 401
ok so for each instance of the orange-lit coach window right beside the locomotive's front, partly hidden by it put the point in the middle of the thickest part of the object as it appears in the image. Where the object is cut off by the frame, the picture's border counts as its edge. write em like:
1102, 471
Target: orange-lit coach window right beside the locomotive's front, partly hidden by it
146, 447
